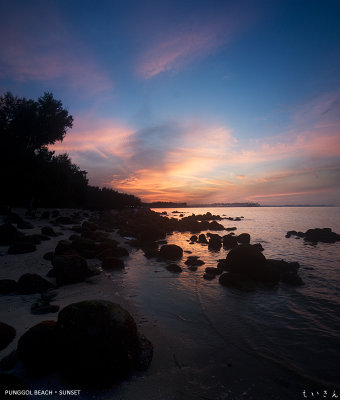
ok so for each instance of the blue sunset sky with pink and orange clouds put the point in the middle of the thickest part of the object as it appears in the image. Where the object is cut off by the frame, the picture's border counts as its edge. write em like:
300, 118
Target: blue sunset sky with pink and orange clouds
195, 101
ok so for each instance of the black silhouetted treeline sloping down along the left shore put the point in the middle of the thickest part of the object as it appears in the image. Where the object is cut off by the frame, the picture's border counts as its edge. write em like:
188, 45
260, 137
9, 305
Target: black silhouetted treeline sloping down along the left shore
30, 171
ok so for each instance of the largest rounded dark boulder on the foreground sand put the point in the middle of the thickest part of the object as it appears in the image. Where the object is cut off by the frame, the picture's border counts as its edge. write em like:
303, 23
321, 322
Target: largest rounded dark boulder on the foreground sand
99, 343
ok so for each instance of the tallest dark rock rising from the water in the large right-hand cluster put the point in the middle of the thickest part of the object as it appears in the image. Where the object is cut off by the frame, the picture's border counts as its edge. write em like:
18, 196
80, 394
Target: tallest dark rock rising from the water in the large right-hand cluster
247, 260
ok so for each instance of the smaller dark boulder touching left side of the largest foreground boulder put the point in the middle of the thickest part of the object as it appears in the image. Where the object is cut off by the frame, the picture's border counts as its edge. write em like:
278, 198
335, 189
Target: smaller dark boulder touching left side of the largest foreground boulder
38, 350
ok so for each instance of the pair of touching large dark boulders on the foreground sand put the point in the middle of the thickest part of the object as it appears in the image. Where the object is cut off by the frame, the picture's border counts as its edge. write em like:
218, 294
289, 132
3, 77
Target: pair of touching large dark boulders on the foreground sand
94, 343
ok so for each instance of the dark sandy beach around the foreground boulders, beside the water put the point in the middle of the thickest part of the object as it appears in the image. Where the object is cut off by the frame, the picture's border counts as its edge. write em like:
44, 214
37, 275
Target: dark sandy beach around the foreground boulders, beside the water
190, 360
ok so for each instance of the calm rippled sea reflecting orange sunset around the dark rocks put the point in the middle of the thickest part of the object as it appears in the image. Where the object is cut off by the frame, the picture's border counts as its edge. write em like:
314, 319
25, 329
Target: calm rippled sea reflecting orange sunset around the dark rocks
298, 328
